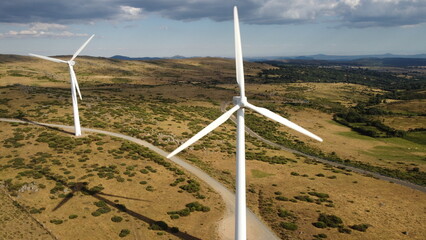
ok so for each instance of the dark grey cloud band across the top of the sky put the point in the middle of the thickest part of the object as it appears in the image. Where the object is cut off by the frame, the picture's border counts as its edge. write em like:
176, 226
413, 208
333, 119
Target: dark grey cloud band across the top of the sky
351, 13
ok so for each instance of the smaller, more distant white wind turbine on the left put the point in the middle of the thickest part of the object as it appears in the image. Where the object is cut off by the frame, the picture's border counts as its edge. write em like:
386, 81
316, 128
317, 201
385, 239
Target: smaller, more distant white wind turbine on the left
74, 83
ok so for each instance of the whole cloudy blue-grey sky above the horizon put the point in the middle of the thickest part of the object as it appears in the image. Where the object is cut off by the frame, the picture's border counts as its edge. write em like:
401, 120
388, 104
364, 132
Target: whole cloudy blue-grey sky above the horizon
161, 28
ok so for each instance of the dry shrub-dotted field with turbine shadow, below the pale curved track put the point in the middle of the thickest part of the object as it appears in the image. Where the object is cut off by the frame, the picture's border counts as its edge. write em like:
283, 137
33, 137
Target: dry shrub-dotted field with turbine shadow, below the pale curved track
76, 187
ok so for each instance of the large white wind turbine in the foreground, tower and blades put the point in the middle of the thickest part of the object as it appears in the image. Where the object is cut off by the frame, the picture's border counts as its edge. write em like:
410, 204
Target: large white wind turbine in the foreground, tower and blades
240, 104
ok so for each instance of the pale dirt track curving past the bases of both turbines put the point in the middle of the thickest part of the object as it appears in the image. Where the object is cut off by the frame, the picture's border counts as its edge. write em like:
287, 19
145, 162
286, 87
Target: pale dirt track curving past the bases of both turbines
256, 229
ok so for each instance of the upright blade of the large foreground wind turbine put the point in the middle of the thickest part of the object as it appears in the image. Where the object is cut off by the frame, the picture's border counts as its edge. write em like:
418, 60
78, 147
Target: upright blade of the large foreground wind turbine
238, 53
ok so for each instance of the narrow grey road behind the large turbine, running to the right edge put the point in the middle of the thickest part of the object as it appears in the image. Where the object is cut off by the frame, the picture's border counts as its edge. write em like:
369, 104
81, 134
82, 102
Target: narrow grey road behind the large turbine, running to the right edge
335, 164
